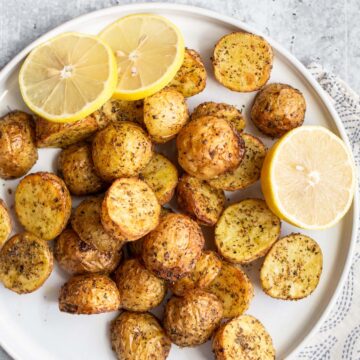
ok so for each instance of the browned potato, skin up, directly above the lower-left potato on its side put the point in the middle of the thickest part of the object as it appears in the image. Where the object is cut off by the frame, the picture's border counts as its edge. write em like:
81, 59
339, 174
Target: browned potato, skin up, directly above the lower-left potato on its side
77, 257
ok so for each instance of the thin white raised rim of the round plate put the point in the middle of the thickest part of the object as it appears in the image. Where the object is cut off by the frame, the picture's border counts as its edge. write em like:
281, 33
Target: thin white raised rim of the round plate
320, 92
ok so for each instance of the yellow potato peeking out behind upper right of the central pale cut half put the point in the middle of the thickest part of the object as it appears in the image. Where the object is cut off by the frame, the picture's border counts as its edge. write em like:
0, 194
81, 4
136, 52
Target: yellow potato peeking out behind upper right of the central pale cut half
162, 177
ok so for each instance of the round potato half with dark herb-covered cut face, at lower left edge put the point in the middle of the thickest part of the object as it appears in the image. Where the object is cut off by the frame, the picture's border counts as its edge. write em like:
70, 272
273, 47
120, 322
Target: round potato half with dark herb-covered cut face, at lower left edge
25, 263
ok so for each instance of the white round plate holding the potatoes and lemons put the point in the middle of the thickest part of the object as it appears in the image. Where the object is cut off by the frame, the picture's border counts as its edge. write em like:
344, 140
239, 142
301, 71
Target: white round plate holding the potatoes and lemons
31, 326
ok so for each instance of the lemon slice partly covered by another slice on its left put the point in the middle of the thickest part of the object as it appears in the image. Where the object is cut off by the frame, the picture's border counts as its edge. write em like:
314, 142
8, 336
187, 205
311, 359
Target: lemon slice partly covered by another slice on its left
149, 50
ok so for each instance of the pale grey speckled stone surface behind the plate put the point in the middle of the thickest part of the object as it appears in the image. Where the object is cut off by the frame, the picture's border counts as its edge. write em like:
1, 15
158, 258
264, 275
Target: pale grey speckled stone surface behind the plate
327, 31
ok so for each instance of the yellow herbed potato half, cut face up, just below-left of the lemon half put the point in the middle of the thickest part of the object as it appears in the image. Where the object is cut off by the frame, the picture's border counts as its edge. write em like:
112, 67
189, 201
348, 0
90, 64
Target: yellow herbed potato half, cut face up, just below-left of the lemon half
246, 231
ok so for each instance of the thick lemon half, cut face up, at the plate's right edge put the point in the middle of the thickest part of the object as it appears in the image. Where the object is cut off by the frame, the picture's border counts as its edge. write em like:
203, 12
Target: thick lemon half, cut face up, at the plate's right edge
308, 178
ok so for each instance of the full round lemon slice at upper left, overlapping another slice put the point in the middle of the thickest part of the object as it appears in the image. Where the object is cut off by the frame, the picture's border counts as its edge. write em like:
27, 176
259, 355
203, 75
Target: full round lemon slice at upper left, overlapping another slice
68, 77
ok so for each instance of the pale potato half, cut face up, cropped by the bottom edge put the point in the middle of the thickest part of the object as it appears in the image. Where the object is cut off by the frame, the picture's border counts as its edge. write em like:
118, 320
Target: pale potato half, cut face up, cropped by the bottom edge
243, 337
